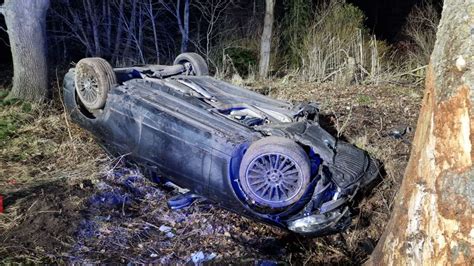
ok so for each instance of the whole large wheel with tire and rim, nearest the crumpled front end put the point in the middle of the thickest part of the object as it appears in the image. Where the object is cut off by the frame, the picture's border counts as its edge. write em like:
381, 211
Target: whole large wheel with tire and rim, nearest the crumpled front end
274, 172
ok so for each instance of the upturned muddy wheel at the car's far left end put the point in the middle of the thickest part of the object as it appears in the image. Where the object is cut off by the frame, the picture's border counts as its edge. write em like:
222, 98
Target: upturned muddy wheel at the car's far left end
93, 80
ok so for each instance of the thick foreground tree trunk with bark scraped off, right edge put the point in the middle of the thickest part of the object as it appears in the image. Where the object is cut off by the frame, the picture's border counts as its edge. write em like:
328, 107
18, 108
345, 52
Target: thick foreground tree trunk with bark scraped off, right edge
432, 220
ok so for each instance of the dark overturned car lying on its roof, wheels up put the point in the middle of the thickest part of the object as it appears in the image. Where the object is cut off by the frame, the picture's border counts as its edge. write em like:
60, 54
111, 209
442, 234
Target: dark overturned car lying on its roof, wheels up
263, 158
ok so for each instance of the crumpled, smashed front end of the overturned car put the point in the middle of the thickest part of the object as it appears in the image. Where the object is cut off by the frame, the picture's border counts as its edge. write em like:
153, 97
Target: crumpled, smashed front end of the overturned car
343, 171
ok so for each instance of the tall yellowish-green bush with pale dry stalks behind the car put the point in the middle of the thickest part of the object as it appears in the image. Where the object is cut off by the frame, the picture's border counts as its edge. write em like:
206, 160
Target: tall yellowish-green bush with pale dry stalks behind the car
337, 48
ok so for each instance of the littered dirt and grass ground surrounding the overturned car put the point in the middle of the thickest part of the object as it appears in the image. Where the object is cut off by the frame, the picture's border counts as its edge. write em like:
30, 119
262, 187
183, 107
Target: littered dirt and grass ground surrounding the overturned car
66, 201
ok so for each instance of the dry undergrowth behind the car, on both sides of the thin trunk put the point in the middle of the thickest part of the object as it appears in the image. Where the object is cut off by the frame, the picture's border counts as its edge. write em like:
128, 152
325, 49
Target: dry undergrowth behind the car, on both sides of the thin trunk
328, 42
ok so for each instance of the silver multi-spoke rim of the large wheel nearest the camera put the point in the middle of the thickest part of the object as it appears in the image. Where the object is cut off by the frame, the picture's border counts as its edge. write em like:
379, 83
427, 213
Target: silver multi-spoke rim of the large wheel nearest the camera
274, 179
